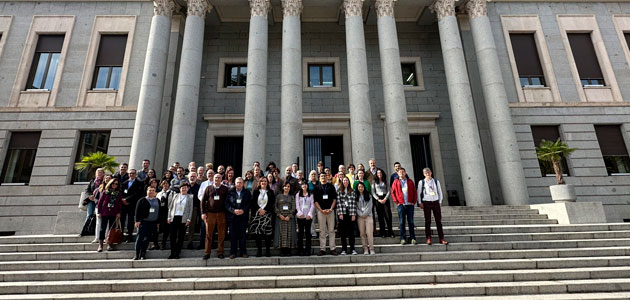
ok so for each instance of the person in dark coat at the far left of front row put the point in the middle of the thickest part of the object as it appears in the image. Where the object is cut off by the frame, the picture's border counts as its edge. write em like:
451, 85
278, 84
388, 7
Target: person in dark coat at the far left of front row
147, 213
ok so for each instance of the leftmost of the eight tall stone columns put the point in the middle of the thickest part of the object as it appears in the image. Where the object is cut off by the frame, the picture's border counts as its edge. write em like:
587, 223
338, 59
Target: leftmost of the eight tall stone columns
145, 134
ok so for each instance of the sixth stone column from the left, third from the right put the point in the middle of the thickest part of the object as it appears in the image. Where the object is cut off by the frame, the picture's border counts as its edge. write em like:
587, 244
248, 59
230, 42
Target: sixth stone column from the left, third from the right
393, 91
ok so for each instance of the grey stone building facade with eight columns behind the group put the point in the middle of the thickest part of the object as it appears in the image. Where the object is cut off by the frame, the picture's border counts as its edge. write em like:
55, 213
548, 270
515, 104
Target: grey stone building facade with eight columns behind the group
468, 114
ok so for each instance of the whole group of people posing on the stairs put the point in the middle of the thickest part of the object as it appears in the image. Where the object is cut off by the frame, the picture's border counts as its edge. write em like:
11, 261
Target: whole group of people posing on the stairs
270, 208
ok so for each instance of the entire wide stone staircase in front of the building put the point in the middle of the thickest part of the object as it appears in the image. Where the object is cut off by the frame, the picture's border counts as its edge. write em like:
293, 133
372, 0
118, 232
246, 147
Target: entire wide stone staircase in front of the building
506, 252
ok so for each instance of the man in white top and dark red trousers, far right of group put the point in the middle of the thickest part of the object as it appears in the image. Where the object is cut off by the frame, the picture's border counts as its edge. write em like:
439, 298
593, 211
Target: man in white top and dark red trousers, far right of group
430, 198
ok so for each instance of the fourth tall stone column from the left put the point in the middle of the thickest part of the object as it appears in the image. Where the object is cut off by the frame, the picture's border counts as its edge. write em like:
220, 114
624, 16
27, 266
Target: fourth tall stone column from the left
291, 141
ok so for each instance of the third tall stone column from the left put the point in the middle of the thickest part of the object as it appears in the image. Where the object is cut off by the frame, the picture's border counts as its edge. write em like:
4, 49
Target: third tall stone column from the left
254, 131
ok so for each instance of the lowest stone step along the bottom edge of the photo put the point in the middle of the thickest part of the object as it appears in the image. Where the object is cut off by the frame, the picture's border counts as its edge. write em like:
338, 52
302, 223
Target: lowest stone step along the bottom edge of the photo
363, 292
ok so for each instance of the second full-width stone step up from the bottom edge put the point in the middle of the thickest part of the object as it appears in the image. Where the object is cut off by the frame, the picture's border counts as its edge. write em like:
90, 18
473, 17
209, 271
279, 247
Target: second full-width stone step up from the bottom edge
196, 282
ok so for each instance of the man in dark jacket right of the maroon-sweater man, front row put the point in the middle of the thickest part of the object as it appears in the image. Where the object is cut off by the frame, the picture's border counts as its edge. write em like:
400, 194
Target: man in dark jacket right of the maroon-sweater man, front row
237, 206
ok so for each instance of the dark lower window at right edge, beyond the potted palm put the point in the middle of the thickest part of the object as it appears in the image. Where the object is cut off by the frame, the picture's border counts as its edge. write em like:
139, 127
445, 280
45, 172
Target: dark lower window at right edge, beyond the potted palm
613, 149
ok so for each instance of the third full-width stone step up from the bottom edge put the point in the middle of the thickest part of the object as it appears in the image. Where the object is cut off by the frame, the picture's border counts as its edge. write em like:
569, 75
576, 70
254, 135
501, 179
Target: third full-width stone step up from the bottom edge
167, 269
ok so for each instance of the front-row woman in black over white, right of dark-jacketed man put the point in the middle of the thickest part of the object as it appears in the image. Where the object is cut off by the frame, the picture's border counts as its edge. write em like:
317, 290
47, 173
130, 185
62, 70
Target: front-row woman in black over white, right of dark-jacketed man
263, 204
